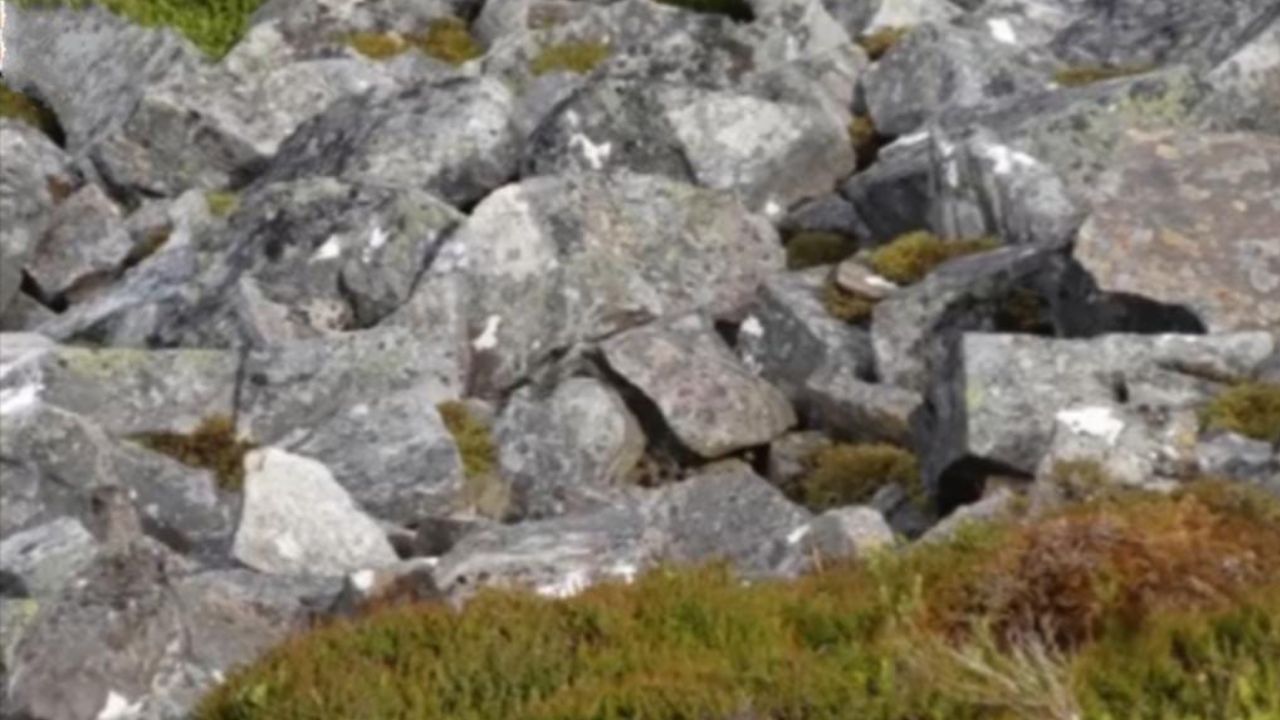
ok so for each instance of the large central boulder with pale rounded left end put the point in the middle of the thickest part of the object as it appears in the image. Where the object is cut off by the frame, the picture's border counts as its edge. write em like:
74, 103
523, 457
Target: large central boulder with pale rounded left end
559, 261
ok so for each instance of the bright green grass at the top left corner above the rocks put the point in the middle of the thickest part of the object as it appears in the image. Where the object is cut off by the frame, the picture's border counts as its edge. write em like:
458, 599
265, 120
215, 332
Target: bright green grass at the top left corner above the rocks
214, 26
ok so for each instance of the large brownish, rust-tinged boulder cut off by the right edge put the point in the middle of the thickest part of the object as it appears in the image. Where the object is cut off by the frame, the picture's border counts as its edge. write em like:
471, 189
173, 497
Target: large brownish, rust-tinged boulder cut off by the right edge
1192, 220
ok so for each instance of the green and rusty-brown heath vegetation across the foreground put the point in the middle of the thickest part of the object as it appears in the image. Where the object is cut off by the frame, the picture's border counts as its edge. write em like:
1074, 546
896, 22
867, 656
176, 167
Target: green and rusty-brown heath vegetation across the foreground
1145, 607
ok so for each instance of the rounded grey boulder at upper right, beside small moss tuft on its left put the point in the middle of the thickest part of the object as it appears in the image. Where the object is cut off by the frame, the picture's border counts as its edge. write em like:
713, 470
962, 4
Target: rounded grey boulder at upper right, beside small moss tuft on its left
939, 69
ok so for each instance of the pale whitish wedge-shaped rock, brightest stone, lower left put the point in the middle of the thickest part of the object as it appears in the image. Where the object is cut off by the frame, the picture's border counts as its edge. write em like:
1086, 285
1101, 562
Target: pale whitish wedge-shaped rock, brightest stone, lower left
299, 522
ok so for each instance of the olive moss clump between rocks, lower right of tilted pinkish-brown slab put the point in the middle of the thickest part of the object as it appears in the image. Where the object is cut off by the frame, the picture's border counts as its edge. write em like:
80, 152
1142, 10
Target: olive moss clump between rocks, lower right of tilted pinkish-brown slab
851, 475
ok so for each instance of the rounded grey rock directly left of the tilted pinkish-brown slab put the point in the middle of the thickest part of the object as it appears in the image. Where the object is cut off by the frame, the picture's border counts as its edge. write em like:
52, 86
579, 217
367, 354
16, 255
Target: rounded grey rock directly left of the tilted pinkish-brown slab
566, 453
